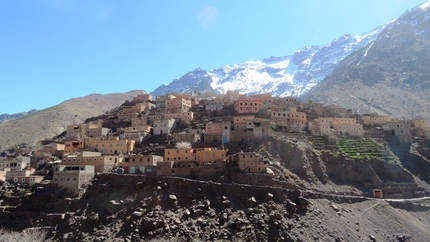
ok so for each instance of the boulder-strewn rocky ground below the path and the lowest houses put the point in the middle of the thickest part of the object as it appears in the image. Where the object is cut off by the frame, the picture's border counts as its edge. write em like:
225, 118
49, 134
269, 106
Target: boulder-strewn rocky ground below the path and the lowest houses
138, 208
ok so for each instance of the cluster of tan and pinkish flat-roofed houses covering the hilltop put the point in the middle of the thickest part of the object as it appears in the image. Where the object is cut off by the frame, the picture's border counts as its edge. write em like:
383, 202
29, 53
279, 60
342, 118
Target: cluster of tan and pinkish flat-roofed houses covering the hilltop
209, 118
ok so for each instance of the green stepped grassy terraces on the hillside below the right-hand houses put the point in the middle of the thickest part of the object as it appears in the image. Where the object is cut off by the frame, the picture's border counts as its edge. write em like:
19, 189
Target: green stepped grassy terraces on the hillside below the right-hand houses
362, 148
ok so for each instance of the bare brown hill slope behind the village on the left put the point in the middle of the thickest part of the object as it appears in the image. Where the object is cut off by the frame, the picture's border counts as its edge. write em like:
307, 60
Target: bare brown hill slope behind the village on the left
52, 121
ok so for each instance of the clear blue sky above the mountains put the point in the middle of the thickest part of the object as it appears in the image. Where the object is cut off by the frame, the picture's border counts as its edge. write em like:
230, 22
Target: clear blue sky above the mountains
54, 50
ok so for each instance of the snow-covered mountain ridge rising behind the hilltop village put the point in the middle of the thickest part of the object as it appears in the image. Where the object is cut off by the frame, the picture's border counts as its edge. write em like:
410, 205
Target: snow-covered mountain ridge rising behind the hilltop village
282, 76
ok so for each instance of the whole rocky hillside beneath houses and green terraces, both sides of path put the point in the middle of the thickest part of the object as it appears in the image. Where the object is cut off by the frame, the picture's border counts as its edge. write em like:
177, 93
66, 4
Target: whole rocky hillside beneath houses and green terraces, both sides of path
320, 197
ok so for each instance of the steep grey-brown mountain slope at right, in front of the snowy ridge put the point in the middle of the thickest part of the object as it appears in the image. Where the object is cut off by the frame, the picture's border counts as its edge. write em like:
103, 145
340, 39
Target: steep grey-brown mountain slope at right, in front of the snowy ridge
391, 75
